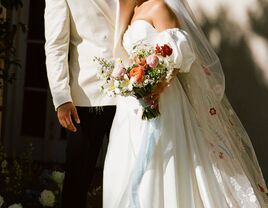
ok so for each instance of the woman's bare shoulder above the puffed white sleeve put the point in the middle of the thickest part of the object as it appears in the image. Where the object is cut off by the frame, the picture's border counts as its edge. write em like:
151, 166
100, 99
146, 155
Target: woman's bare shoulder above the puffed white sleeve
162, 16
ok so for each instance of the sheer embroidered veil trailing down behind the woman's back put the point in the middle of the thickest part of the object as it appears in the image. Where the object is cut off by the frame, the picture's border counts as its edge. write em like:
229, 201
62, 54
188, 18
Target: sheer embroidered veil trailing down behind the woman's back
205, 85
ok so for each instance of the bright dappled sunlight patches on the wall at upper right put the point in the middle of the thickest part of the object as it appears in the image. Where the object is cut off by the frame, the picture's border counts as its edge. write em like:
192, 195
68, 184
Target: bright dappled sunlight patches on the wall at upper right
238, 12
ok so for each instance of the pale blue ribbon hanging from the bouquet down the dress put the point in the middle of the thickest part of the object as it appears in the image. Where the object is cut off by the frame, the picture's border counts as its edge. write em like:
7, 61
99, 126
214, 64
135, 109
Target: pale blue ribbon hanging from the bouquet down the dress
149, 141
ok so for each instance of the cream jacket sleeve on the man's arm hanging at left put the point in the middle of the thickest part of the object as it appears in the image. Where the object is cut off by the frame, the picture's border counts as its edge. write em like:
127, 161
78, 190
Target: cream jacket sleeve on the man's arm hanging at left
57, 35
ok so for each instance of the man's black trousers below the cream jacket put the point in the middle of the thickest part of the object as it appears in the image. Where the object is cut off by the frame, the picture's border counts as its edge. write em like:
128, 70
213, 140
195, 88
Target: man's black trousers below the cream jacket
82, 152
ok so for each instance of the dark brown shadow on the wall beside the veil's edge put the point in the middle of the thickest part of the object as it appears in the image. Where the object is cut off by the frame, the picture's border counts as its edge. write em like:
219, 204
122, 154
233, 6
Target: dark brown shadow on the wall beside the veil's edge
245, 82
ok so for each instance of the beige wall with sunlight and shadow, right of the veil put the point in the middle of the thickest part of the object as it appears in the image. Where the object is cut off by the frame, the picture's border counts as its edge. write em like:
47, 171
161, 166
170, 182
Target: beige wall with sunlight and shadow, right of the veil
238, 31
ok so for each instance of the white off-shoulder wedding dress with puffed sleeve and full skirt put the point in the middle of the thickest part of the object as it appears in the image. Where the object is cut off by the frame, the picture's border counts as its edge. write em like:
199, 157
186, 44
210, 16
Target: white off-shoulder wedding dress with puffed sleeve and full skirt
171, 162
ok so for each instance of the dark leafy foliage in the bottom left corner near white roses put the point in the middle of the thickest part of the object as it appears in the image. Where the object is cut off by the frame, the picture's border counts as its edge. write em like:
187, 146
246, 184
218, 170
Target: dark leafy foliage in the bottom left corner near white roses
22, 180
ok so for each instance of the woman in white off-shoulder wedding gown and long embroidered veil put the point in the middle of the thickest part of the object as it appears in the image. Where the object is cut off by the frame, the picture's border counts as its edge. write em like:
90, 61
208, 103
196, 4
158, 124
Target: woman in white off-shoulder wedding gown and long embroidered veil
196, 153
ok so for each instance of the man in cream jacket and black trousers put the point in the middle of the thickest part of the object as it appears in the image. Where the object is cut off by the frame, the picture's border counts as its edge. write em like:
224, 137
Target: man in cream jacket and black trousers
76, 32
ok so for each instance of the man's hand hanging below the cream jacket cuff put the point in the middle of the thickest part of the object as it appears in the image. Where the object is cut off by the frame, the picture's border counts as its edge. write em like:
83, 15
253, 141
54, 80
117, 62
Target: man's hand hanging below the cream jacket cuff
65, 113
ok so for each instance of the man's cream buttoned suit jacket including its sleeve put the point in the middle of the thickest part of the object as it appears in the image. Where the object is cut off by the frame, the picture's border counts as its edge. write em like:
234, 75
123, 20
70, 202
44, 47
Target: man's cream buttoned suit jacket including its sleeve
76, 31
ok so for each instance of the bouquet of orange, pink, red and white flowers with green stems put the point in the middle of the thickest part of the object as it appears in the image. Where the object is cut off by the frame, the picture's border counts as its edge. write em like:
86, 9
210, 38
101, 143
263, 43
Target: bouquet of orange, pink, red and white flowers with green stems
149, 67
